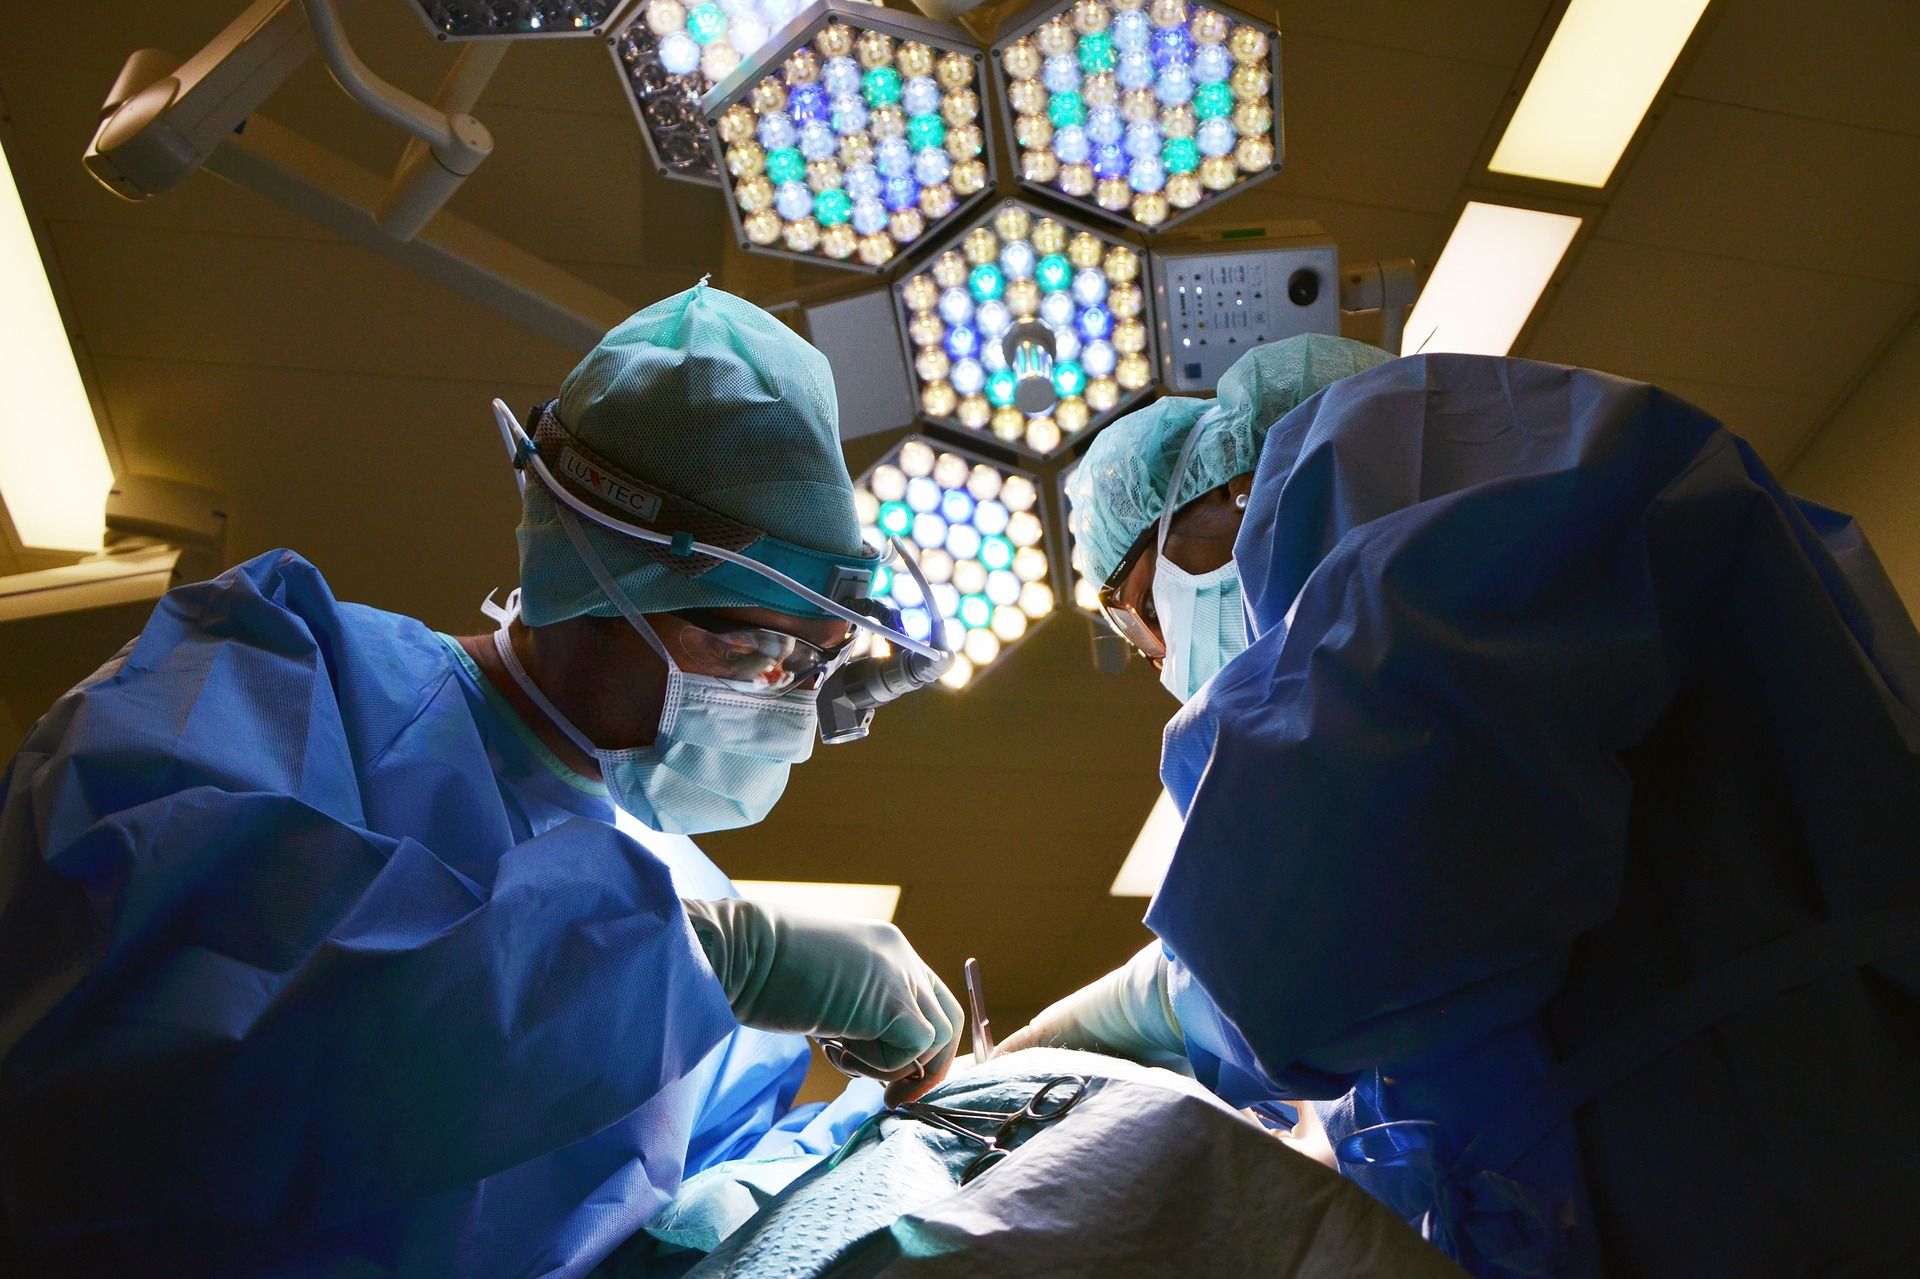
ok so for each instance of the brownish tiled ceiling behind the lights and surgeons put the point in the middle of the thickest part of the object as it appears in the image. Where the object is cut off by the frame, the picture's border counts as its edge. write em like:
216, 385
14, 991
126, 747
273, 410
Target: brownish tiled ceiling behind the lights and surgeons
1758, 253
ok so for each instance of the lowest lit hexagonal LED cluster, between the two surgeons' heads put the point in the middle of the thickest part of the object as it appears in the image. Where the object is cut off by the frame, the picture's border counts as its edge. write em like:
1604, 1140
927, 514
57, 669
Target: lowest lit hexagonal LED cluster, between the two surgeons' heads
976, 529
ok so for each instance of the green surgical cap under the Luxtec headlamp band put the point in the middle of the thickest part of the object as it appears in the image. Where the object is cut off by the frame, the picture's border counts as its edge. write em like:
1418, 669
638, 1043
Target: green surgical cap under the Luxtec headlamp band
706, 397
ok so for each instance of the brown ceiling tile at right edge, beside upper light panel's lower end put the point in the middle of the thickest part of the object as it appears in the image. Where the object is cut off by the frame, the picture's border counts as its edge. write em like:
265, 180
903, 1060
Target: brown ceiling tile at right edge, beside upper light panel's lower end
1719, 180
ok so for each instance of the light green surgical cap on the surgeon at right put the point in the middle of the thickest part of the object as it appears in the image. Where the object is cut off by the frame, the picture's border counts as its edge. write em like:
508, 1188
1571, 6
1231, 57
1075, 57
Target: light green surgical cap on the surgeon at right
1120, 489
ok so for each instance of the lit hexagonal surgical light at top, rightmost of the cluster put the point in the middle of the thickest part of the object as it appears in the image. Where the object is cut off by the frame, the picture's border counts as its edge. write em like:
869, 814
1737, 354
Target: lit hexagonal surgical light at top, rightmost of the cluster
1143, 110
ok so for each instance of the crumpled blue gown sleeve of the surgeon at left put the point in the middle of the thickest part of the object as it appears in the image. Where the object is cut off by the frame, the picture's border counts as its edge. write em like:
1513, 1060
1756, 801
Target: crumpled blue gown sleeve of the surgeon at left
226, 996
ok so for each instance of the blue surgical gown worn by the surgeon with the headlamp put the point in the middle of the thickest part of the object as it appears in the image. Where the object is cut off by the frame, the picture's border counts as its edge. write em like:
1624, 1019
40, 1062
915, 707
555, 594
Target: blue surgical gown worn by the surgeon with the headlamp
316, 963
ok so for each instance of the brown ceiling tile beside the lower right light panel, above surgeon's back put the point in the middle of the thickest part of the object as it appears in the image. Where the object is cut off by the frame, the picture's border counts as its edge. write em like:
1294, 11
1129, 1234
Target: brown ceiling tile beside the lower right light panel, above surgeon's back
1660, 314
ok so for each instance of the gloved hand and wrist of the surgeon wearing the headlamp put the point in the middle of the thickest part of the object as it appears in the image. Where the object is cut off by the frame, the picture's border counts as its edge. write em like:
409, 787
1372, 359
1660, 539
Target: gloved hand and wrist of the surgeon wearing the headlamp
834, 978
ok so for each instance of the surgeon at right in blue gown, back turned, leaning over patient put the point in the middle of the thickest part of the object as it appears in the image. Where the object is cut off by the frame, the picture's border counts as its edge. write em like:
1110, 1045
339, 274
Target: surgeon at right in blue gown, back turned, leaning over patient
1552, 825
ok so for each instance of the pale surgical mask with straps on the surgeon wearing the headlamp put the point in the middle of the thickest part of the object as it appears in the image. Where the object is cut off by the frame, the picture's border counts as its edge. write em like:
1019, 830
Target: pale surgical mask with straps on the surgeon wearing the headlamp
719, 760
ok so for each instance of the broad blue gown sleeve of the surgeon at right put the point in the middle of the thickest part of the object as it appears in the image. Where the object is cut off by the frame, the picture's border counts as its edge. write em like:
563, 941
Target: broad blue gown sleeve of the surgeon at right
1472, 587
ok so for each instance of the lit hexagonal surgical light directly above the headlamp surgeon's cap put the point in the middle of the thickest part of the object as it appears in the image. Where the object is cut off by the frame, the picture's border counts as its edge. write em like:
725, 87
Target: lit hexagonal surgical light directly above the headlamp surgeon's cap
852, 135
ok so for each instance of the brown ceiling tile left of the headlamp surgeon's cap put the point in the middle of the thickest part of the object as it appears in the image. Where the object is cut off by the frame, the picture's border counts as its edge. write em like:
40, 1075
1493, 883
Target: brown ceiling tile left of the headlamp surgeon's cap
396, 489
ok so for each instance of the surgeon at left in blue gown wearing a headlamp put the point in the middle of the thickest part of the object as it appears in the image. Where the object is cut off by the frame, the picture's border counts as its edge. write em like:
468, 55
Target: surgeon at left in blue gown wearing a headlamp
320, 948
